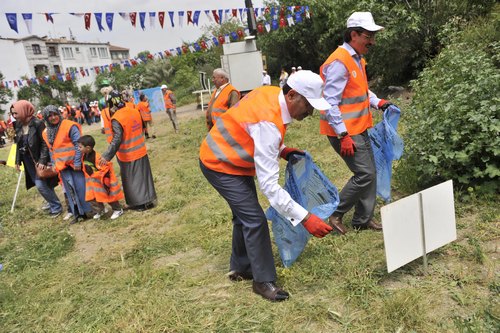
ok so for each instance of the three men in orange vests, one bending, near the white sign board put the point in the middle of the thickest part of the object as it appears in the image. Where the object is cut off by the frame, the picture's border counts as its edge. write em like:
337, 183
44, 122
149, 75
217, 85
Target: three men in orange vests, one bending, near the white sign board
246, 139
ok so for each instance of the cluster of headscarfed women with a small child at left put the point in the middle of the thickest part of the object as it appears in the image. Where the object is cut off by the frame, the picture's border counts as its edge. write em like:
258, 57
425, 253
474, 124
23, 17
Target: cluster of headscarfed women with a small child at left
54, 150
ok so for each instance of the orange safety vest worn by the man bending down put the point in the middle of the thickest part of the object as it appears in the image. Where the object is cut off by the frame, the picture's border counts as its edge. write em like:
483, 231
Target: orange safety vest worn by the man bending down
228, 148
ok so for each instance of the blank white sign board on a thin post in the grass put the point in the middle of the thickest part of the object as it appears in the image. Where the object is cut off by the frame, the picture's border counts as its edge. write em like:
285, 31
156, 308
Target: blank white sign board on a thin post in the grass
418, 224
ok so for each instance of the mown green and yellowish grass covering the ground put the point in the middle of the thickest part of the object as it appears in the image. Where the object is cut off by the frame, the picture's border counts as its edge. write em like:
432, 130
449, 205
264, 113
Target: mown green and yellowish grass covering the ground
163, 270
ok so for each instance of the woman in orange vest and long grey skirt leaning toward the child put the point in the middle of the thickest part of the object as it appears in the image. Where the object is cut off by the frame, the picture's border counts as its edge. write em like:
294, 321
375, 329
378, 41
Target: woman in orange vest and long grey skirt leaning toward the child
129, 146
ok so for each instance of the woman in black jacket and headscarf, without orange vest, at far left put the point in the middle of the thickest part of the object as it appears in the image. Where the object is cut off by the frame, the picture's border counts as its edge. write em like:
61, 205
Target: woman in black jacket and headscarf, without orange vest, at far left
31, 150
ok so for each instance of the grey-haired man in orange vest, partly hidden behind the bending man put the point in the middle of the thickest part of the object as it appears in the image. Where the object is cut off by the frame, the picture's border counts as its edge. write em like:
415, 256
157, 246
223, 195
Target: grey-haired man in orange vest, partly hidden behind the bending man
223, 97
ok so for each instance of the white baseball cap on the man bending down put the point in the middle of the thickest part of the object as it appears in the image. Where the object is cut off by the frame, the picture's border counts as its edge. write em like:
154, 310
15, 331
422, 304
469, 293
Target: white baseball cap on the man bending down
310, 85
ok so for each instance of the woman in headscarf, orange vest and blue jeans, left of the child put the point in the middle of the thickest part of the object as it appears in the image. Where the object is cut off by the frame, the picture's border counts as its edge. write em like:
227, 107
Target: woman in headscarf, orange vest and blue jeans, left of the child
61, 137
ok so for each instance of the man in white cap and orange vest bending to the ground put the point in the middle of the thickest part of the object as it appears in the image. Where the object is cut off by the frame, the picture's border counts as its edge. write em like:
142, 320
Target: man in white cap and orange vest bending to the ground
247, 141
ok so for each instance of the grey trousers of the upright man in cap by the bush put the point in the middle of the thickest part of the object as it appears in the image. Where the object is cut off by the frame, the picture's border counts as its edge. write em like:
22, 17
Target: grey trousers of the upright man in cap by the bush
361, 189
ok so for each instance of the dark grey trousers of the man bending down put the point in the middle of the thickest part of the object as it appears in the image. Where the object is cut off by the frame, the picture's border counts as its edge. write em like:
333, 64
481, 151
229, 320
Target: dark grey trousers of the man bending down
251, 244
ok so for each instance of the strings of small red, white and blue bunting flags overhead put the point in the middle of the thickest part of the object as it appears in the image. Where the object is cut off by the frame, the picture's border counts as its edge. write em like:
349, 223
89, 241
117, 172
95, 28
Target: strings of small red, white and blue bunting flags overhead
267, 22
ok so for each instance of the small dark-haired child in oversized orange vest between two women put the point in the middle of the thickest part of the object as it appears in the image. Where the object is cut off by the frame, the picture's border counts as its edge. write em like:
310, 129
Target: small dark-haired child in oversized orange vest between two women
101, 184
